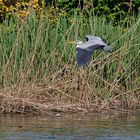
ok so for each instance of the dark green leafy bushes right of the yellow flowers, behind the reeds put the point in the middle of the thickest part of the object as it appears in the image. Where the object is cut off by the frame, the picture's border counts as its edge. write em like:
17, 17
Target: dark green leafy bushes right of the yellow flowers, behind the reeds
112, 9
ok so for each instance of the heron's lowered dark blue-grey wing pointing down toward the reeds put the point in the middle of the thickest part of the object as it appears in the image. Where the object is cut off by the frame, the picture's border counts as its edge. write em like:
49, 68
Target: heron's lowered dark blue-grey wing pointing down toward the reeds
84, 53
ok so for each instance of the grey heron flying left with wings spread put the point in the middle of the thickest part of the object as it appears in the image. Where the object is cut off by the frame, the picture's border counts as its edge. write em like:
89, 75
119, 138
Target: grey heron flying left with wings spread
86, 49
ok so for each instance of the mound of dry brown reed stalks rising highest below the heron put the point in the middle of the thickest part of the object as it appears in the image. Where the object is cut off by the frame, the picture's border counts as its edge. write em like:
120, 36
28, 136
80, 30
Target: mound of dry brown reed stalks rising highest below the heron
70, 93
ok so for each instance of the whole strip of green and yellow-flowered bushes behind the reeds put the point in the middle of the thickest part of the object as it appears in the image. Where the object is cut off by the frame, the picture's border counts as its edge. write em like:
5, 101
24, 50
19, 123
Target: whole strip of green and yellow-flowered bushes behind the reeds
113, 10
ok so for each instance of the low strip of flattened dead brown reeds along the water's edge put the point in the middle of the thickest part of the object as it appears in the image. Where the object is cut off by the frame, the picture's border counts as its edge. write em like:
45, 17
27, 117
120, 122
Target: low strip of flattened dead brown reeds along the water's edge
45, 98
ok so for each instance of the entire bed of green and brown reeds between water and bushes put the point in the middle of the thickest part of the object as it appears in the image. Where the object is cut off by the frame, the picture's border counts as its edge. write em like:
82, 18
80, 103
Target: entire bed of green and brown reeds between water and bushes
38, 72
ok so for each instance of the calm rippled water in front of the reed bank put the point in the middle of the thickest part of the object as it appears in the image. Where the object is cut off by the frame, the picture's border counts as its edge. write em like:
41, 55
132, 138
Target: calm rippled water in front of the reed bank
70, 127
